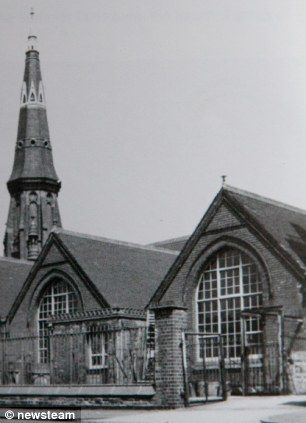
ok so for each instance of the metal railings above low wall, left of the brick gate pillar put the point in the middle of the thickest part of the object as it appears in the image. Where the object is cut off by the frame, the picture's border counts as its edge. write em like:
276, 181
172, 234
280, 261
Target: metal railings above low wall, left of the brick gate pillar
93, 356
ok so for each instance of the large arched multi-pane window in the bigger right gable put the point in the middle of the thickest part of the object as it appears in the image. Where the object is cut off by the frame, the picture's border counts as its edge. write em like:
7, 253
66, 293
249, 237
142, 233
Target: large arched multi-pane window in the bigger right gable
230, 282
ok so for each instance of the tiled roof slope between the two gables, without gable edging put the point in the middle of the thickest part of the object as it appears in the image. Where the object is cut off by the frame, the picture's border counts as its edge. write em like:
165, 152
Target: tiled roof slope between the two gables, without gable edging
125, 274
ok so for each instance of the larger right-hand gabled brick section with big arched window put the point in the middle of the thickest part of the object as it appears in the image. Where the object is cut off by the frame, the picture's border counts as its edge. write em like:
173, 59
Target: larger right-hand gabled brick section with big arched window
241, 274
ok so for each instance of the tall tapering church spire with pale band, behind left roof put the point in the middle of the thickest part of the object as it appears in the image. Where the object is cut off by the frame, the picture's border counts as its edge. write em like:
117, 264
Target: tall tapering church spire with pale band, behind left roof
33, 184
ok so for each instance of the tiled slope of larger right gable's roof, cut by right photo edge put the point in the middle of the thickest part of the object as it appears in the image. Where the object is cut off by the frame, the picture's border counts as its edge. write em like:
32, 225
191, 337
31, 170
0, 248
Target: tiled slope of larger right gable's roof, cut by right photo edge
285, 223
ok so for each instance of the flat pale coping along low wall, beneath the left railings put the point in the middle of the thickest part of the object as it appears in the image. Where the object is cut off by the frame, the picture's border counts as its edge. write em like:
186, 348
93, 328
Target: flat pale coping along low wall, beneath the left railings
77, 390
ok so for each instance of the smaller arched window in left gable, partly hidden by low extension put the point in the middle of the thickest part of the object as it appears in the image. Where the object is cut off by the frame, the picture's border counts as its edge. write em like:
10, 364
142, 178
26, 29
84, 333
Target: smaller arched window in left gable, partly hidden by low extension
59, 298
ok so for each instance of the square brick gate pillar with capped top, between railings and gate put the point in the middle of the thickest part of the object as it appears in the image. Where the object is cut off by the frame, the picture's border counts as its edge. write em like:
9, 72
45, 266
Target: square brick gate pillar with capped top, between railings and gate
169, 376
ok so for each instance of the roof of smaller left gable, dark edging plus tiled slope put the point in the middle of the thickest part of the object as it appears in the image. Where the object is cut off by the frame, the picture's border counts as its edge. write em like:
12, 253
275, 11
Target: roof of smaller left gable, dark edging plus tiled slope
119, 274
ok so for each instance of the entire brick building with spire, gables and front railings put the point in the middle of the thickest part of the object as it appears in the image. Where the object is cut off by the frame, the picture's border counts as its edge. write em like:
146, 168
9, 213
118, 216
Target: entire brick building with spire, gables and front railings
97, 321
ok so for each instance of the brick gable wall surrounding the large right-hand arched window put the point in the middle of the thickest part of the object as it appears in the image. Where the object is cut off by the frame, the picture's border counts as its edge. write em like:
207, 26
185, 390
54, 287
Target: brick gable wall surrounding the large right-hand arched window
281, 286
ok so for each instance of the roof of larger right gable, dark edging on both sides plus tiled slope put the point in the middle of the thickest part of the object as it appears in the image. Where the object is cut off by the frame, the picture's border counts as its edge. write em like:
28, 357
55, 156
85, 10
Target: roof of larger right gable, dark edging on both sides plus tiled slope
281, 226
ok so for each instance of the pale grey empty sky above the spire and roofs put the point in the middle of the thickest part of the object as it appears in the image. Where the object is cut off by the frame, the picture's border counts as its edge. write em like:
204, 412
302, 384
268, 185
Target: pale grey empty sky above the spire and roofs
149, 102
